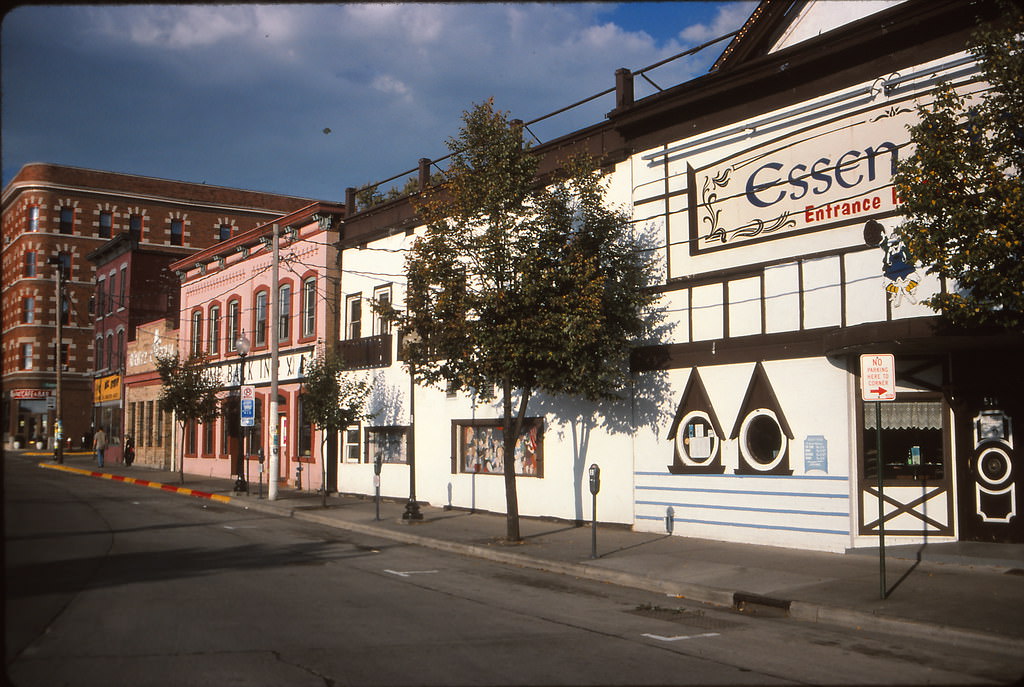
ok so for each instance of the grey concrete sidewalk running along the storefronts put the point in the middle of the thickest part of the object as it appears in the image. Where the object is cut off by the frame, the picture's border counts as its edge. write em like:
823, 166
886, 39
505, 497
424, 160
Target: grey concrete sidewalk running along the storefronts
966, 593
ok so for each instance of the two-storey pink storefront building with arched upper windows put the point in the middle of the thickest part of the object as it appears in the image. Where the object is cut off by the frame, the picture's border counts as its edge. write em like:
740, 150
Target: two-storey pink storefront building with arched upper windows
228, 293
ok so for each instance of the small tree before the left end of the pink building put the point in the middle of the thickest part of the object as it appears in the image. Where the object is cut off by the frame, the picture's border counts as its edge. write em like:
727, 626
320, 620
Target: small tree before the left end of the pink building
190, 393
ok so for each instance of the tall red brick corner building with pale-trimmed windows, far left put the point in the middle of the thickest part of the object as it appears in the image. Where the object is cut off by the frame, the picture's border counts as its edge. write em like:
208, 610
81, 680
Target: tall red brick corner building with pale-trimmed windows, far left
54, 212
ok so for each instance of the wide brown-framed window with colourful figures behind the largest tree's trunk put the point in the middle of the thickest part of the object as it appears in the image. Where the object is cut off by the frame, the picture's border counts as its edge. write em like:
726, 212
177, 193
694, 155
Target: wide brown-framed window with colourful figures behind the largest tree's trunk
481, 448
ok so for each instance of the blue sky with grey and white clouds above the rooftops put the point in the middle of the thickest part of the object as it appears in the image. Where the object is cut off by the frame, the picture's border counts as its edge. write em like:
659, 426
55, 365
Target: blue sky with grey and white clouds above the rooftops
308, 100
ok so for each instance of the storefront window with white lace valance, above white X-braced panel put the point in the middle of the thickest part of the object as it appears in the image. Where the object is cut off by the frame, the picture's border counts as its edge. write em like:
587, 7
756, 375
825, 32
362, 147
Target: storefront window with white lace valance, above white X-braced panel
912, 440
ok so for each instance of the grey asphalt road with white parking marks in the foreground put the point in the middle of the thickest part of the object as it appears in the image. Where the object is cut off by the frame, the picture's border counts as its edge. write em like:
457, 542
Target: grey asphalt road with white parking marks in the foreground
111, 584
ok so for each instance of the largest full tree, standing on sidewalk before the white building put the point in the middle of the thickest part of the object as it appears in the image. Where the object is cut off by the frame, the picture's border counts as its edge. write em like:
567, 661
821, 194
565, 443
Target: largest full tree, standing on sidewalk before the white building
522, 288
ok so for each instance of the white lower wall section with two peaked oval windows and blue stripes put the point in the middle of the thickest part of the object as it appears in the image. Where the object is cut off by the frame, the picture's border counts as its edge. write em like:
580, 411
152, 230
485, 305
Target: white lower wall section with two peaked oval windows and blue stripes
755, 453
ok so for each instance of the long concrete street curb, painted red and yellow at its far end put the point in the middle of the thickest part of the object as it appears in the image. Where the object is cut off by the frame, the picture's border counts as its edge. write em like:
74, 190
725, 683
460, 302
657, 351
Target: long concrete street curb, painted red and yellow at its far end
738, 600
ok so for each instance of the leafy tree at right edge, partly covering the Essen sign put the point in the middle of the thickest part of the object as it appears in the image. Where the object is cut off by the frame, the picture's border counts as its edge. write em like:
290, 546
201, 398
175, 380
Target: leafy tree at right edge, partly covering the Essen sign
962, 192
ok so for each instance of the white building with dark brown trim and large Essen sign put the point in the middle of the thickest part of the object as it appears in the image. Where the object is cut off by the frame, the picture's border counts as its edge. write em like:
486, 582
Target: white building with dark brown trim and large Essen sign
769, 186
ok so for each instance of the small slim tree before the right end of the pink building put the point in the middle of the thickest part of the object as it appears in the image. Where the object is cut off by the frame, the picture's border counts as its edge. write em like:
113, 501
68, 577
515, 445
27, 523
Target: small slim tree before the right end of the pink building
331, 402
